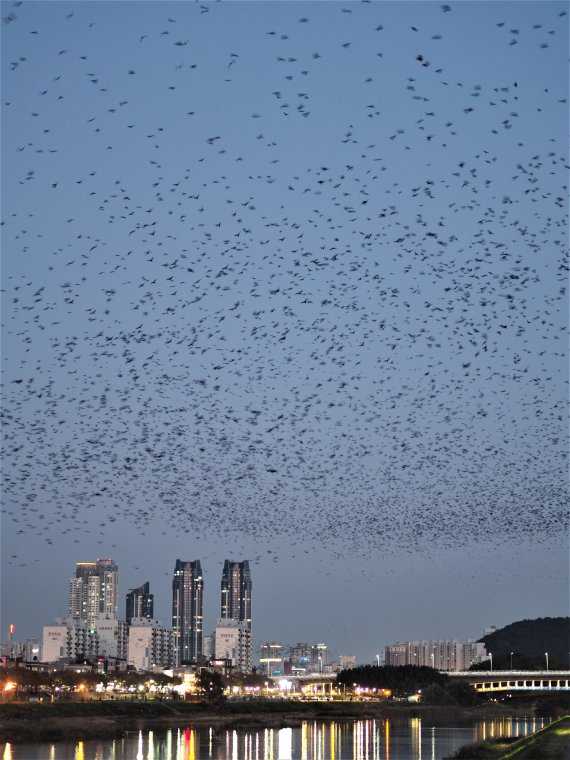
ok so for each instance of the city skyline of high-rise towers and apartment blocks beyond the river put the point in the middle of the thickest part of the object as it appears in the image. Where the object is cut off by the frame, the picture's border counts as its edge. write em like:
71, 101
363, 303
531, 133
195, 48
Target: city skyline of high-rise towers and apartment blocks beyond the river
188, 585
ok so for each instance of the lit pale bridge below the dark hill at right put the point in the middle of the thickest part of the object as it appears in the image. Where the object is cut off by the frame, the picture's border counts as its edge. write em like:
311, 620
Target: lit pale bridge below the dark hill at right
488, 681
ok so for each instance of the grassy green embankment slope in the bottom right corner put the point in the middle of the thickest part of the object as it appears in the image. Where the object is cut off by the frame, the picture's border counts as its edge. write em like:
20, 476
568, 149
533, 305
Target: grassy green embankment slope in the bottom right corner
550, 743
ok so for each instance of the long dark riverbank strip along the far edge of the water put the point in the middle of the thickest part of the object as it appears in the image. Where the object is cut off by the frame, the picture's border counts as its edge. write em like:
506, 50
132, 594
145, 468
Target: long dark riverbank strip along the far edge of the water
107, 719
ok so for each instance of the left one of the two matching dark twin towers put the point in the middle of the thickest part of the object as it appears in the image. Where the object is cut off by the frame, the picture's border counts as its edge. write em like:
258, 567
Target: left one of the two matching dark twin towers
187, 612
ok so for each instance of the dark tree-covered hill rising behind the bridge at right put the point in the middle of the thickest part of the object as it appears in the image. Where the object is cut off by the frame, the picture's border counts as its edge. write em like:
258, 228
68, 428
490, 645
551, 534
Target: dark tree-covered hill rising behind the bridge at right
531, 639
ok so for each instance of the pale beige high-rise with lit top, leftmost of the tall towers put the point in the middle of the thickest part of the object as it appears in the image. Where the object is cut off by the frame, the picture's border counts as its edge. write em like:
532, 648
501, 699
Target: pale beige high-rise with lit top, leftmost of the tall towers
94, 590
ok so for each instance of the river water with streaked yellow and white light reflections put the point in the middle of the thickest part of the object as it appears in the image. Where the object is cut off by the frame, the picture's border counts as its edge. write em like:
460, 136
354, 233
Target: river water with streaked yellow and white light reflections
379, 739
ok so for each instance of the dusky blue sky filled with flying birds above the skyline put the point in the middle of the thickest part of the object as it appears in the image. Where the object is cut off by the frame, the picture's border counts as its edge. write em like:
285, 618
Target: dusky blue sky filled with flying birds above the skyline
287, 282
